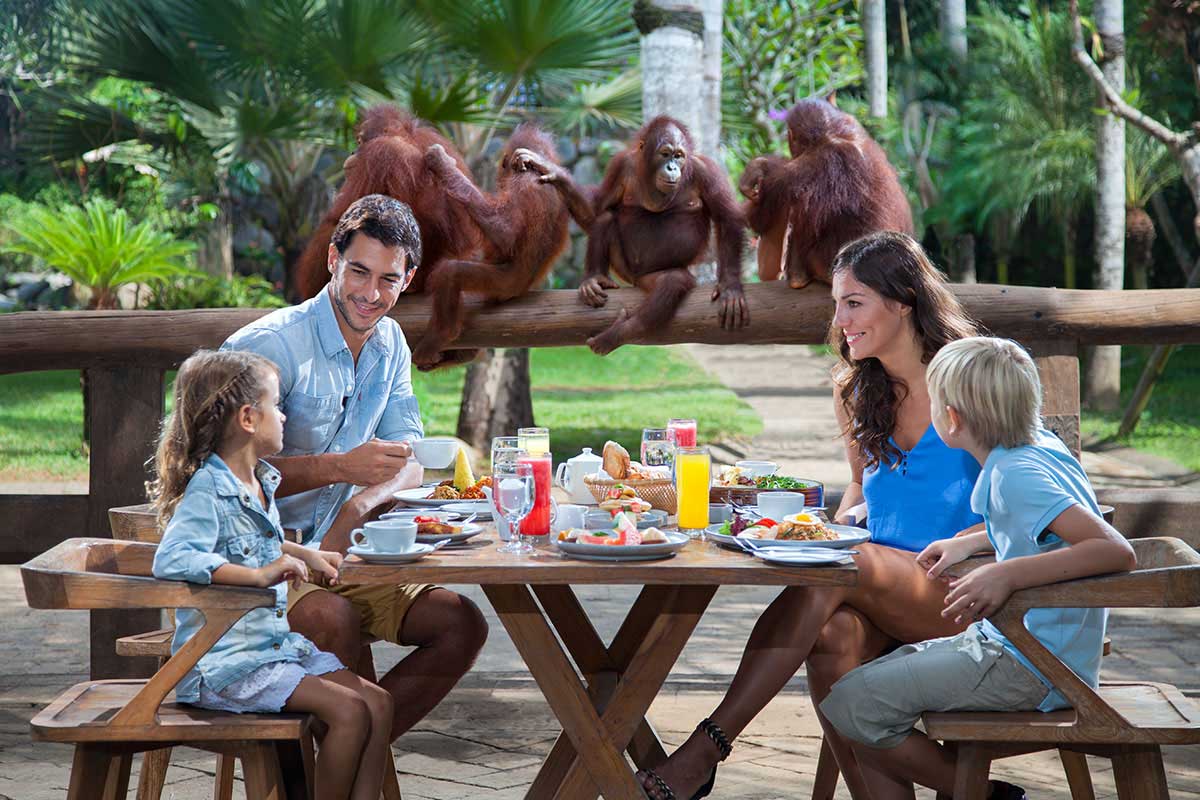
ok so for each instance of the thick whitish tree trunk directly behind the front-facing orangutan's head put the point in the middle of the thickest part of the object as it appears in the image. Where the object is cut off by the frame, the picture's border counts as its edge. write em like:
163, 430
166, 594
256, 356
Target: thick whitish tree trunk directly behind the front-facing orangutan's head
673, 73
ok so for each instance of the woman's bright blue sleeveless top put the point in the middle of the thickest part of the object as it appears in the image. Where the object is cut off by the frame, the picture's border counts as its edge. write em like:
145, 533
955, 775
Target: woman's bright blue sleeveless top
922, 497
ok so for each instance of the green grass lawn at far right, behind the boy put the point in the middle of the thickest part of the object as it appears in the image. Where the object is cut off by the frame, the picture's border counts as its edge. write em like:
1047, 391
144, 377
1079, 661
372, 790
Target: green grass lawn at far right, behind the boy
1171, 426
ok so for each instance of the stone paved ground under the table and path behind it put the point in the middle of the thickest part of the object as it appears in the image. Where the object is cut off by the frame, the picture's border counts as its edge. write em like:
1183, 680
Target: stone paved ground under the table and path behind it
488, 738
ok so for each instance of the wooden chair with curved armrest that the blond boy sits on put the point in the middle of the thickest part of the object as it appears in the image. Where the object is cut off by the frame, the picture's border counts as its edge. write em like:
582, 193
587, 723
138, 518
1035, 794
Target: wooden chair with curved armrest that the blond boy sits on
1125, 721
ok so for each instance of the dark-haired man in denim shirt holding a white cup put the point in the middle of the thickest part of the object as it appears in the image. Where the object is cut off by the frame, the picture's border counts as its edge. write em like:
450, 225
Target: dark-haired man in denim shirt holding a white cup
346, 390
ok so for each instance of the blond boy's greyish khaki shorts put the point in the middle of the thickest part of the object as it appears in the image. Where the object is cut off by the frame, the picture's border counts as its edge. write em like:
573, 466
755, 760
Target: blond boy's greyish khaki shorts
880, 703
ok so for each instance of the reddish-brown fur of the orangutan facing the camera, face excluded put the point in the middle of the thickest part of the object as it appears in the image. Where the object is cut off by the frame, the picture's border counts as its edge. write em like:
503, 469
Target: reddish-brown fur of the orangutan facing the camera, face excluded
651, 239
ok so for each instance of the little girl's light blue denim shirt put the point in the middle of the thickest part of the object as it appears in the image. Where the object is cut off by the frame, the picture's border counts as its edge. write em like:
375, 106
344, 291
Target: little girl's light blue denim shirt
218, 522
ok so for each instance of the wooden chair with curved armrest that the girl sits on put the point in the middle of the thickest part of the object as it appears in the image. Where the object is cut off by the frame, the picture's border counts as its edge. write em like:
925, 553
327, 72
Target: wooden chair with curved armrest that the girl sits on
110, 720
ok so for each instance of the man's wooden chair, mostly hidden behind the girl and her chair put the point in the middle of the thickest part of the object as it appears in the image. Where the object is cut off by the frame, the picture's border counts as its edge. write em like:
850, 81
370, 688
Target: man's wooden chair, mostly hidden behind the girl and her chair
139, 524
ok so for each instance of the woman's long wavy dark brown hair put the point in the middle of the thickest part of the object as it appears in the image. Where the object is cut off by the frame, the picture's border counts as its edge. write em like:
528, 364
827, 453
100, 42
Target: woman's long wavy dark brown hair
896, 267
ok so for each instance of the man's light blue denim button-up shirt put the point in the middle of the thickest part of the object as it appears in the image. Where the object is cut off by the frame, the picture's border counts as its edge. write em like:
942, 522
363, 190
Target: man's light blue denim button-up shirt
333, 405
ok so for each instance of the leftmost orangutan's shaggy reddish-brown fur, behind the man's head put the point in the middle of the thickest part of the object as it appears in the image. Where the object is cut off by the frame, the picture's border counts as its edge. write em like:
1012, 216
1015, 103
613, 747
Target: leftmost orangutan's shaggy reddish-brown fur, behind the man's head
391, 160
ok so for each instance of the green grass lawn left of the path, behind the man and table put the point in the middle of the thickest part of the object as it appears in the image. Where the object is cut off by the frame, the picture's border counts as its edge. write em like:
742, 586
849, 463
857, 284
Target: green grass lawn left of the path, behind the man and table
581, 398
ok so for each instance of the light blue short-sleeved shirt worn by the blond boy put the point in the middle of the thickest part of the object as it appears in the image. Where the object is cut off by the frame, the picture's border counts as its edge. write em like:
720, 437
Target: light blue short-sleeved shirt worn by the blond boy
1019, 494
